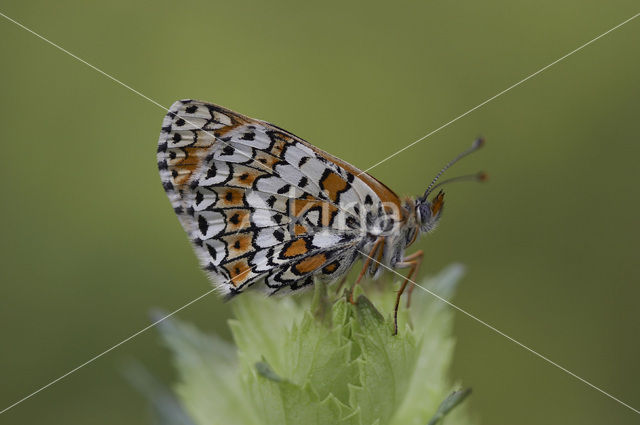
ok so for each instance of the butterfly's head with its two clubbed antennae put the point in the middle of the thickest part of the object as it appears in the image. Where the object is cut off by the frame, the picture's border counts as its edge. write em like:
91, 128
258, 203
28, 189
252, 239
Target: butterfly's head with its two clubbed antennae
428, 211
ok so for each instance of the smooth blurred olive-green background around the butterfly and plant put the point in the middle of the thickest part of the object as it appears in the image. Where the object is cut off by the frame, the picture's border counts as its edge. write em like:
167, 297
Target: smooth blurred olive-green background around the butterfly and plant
90, 243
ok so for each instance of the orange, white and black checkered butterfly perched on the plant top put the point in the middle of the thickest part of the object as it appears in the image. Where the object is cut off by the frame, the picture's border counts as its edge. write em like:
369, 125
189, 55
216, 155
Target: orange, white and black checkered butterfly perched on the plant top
263, 206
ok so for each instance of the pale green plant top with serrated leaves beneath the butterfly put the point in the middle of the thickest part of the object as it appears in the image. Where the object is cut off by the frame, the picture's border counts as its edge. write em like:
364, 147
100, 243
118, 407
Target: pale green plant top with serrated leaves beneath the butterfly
325, 361
